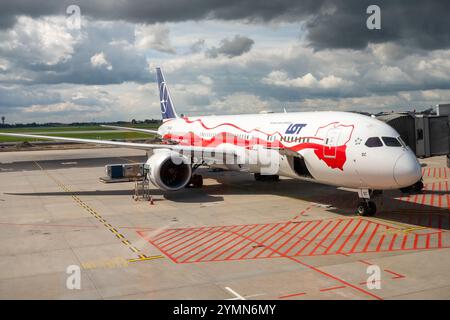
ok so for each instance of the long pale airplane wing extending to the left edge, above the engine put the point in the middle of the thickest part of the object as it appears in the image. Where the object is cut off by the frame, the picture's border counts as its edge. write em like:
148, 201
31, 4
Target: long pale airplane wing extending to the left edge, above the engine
186, 150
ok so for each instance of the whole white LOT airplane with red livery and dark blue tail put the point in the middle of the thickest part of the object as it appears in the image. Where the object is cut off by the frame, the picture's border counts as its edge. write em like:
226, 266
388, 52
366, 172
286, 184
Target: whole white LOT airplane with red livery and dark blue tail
342, 149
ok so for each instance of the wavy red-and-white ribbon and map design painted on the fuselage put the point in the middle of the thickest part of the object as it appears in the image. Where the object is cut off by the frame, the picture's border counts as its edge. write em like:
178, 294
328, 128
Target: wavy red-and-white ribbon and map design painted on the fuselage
333, 155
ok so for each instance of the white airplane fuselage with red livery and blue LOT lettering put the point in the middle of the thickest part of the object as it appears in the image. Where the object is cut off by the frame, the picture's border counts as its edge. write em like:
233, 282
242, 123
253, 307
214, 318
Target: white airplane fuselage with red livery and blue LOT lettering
327, 147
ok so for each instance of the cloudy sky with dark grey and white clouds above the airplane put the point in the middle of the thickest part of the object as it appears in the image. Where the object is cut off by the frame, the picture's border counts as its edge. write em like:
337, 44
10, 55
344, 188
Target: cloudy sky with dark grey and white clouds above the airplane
219, 57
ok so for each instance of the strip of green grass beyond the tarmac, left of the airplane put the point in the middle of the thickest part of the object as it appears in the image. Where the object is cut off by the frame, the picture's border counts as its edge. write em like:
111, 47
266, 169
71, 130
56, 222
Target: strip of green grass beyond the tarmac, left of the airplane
98, 136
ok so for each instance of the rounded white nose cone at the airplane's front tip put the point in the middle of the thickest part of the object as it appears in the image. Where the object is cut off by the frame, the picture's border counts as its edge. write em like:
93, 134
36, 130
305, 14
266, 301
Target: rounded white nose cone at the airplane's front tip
407, 170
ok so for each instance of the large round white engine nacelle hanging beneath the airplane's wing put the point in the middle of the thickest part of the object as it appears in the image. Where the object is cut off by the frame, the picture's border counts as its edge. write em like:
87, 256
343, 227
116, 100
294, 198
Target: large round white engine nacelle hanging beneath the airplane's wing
169, 170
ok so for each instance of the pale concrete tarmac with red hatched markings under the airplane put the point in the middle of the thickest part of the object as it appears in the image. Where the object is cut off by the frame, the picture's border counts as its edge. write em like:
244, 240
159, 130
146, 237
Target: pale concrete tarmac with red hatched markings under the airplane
233, 239
